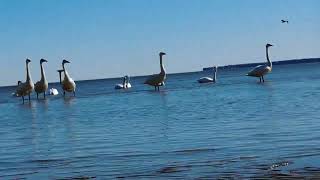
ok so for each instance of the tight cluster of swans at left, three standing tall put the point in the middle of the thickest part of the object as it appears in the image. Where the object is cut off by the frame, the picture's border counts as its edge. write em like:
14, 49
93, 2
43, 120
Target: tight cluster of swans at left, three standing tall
26, 88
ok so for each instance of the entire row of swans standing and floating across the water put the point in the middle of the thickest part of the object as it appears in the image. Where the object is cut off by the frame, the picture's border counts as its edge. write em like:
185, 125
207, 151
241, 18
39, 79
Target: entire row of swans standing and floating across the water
156, 80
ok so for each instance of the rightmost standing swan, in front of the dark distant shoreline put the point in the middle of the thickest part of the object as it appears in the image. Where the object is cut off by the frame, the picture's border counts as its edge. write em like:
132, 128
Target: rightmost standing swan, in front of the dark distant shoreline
261, 70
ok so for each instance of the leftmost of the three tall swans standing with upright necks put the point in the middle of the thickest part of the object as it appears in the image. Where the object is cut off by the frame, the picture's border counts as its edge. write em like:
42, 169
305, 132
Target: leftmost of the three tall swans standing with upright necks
26, 88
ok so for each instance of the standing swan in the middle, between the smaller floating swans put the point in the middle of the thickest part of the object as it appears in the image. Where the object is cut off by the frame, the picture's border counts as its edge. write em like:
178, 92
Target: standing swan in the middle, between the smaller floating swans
157, 80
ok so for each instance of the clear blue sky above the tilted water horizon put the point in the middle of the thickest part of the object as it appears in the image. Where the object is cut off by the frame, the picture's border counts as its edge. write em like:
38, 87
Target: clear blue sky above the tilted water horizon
111, 38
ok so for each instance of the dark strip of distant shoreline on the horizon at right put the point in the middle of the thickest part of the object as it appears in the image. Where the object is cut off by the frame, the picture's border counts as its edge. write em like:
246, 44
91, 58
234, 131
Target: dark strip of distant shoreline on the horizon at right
284, 62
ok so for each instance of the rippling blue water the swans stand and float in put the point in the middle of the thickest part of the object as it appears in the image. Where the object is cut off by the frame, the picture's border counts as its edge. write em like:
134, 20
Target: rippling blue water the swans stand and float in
237, 128
